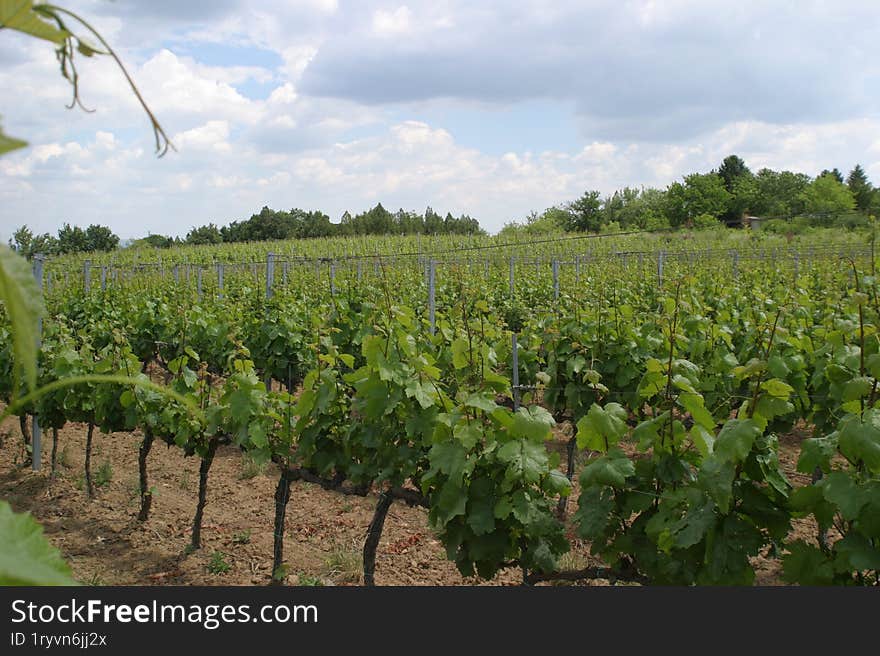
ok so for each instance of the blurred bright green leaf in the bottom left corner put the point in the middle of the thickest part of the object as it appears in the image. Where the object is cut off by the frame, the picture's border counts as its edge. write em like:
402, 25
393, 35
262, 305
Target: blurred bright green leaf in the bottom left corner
26, 556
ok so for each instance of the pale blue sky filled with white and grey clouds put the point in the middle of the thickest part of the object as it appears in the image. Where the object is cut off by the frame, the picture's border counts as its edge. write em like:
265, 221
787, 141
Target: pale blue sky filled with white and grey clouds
493, 109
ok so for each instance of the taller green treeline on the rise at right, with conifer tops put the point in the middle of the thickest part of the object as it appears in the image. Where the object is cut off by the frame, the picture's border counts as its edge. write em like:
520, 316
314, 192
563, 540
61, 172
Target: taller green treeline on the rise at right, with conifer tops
725, 195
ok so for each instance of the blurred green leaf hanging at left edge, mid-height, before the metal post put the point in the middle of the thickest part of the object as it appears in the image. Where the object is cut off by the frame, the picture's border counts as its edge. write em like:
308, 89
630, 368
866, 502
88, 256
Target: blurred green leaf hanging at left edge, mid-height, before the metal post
24, 306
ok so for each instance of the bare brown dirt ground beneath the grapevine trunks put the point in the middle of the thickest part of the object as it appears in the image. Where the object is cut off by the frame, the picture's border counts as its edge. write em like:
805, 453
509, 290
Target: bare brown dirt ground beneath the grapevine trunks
106, 545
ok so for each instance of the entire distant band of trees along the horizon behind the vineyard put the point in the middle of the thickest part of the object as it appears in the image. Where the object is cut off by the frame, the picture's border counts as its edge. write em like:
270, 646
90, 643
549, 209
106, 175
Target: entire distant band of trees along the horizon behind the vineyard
792, 202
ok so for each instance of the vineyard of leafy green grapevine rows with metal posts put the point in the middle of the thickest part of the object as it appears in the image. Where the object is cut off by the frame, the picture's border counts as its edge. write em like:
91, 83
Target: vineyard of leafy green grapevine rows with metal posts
636, 398
